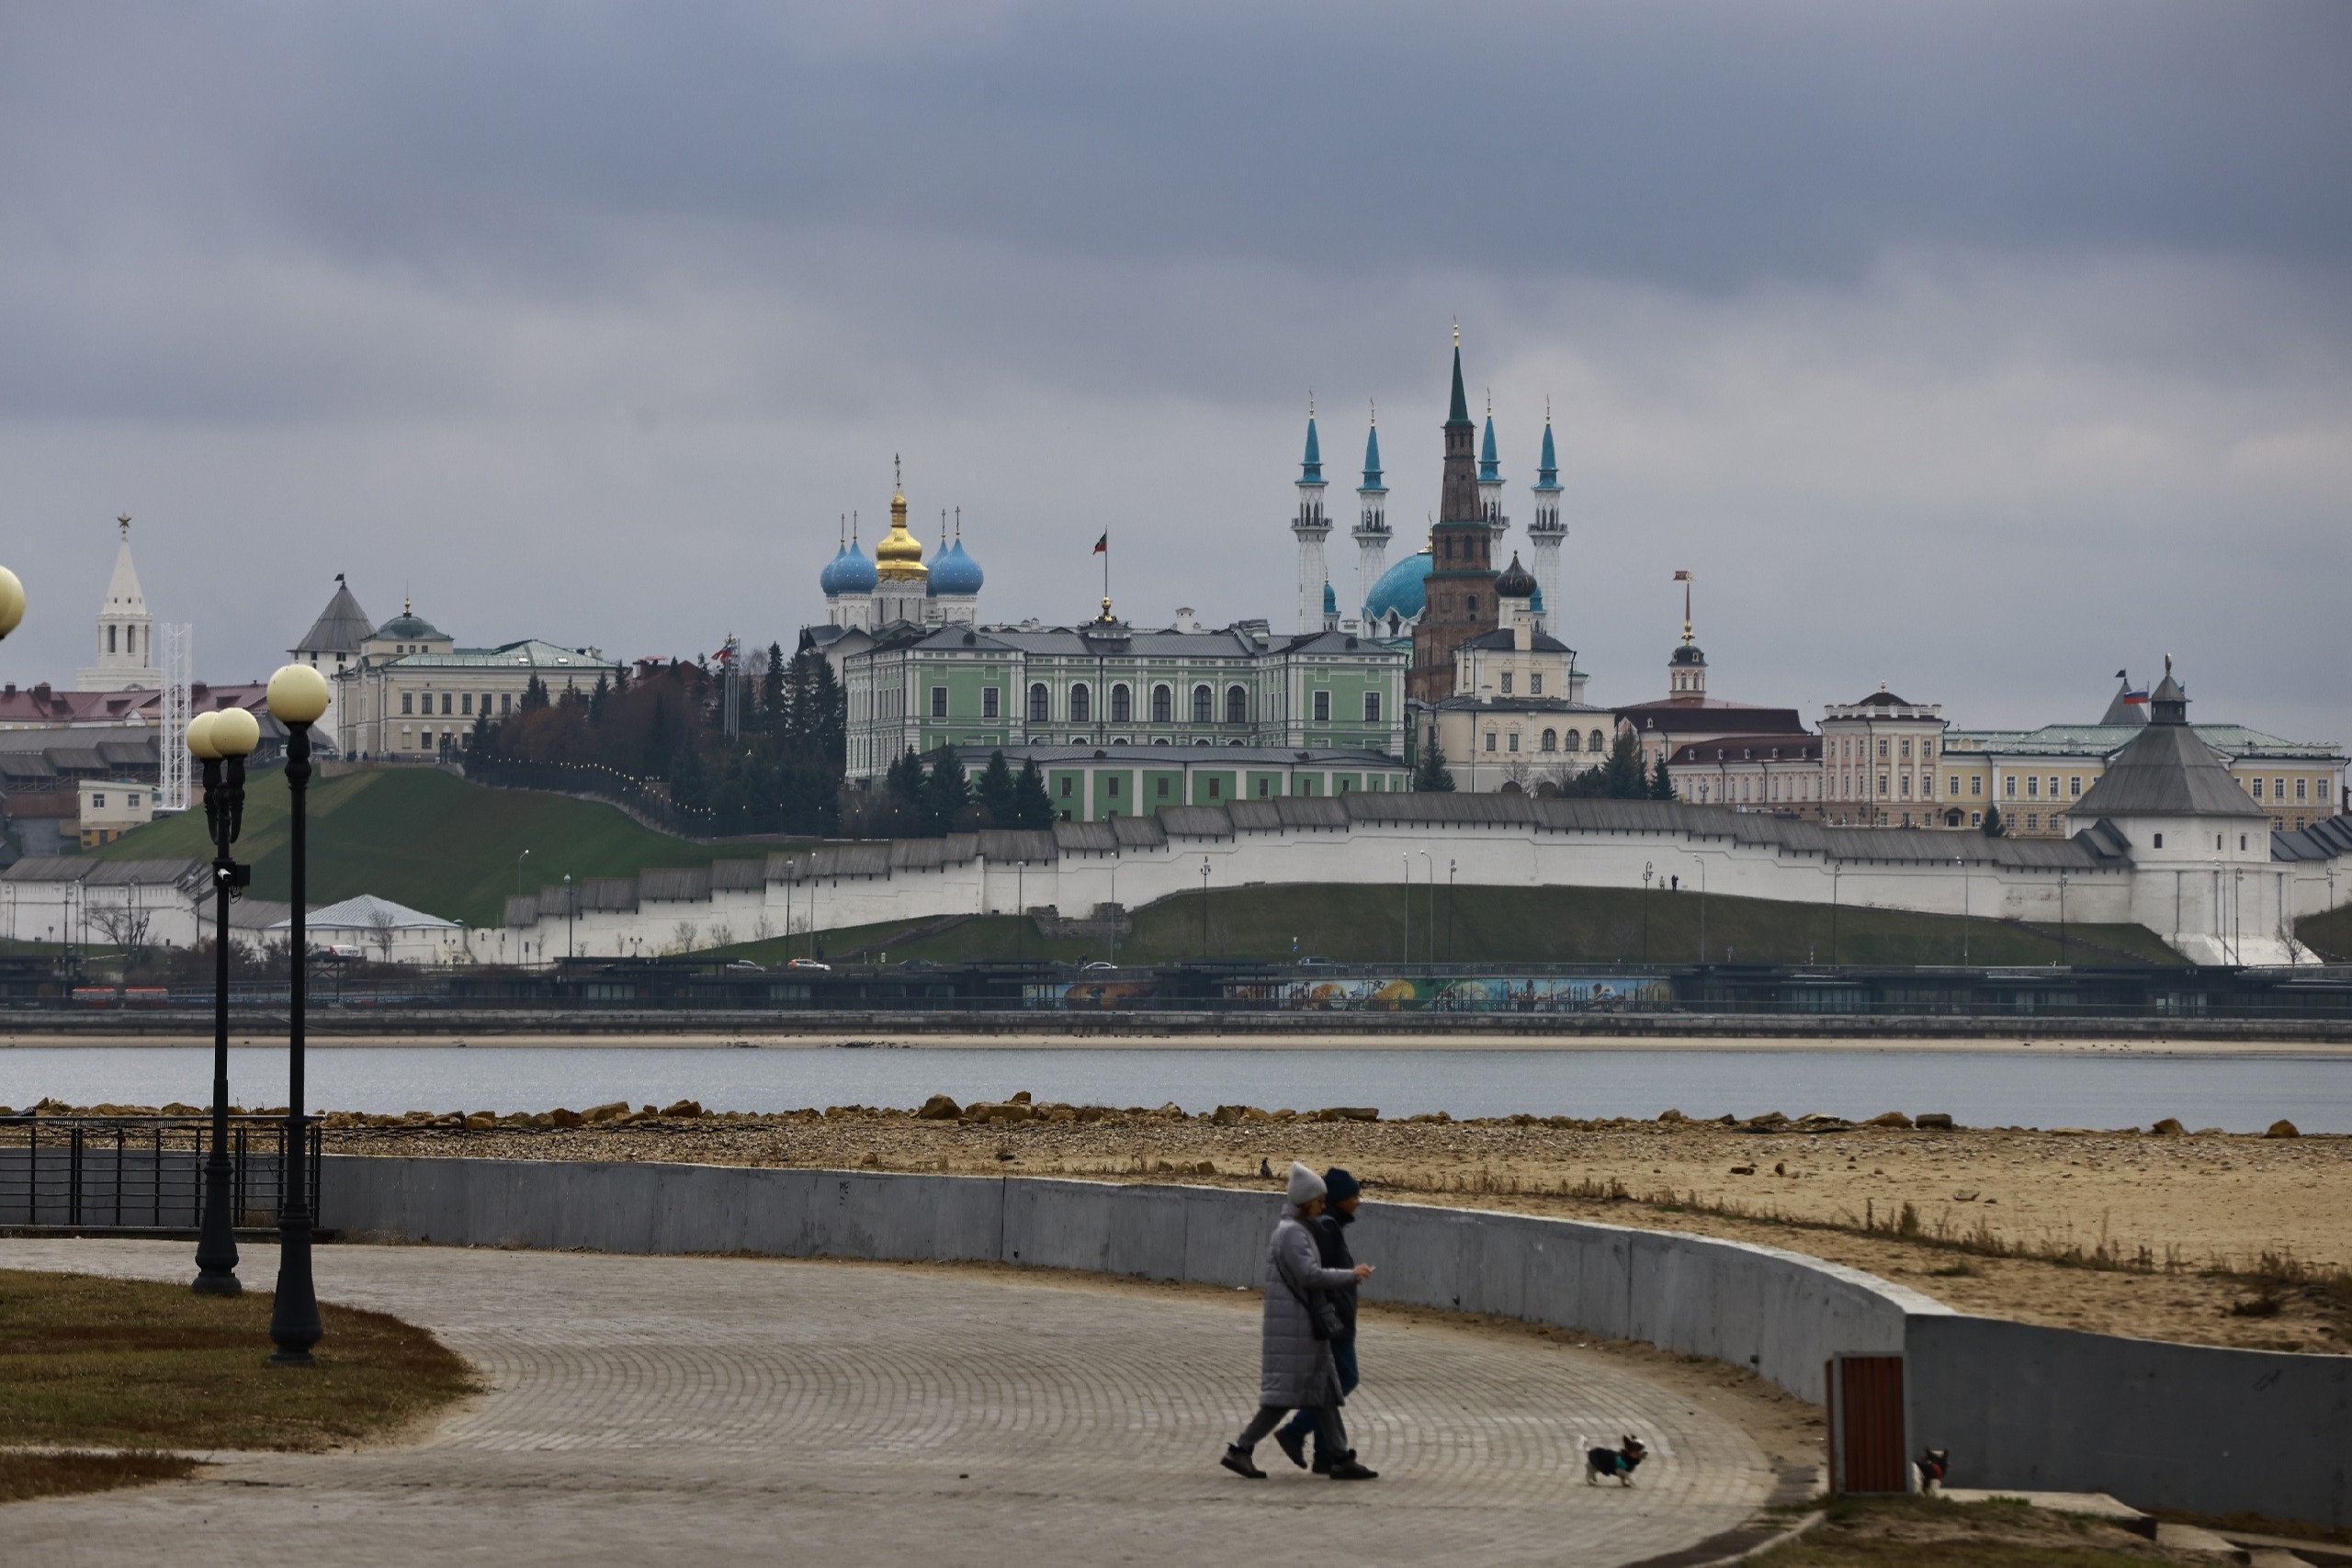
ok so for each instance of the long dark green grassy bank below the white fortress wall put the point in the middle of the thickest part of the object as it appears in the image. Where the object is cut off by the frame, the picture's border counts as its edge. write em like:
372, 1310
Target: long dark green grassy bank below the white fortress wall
1565, 925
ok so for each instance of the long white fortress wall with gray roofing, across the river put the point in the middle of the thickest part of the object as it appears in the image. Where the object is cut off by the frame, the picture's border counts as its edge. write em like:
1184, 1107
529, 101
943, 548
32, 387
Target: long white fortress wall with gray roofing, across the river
2221, 909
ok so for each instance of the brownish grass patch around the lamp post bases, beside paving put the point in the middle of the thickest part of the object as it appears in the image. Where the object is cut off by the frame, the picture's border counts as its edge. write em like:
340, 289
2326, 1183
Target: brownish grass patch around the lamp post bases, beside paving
140, 1365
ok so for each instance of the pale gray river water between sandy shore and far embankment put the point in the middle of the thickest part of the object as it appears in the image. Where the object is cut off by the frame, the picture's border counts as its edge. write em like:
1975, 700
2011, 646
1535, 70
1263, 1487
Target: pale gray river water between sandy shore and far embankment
2010, 1087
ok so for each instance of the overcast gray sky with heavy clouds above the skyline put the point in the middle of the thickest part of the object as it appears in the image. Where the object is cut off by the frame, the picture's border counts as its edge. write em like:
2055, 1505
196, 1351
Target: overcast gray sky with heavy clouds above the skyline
1972, 349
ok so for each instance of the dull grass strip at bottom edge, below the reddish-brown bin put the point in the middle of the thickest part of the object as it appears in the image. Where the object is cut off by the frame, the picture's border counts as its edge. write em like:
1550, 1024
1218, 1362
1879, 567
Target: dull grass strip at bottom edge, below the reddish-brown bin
1996, 1534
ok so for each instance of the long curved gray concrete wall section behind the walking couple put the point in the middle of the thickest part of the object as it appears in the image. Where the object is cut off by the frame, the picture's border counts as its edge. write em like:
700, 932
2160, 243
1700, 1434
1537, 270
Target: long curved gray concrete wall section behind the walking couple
1775, 1313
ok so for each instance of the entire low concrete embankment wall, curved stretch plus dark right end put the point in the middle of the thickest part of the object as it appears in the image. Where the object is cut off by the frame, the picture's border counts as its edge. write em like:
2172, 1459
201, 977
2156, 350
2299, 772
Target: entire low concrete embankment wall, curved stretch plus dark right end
2038, 1409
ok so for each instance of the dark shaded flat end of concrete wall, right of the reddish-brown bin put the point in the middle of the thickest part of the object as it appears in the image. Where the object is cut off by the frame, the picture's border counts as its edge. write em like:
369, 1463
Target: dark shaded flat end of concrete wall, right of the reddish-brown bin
2158, 1426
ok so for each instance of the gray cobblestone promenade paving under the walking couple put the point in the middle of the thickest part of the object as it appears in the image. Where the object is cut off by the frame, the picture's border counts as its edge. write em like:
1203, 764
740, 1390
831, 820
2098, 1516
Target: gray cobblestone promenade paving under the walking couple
749, 1412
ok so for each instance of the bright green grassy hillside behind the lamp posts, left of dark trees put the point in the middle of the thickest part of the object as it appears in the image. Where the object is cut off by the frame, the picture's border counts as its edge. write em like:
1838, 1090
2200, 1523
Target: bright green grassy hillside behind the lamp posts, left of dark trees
429, 840
